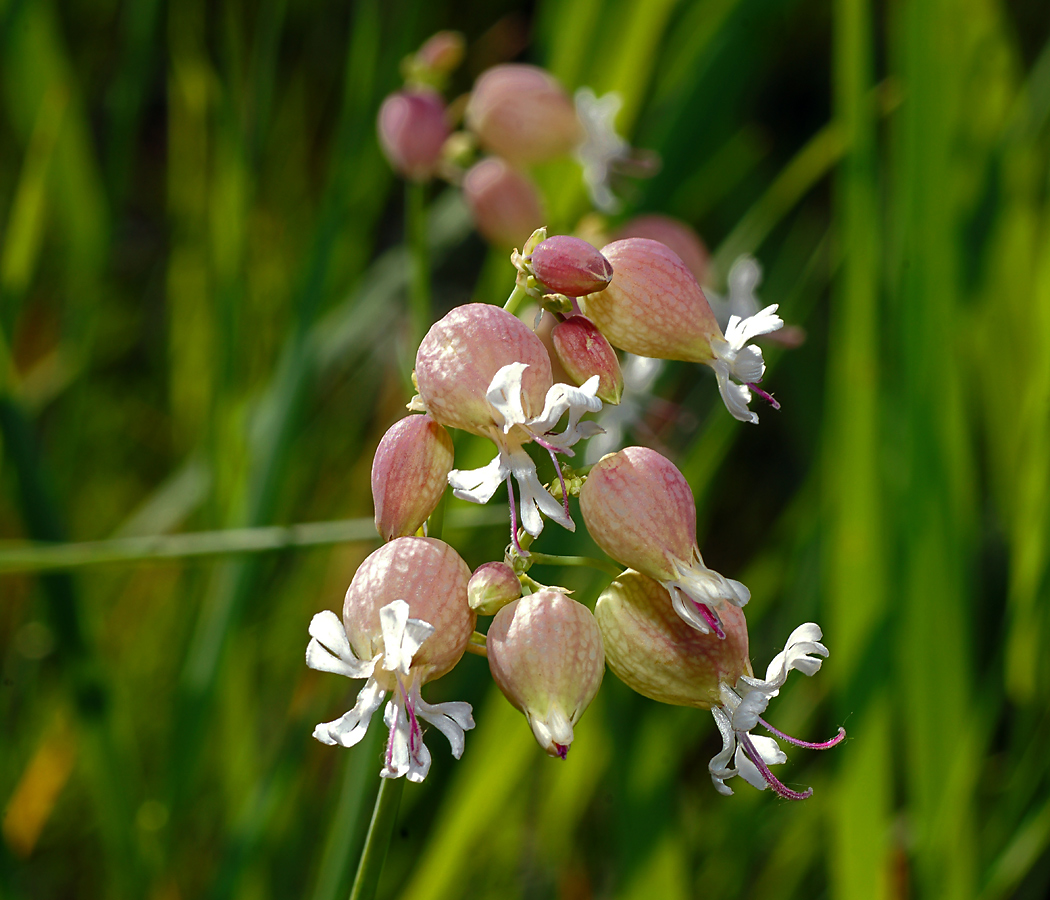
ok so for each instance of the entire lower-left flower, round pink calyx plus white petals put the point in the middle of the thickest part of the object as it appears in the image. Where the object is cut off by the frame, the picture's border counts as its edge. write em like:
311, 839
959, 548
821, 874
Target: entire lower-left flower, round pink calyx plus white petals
406, 621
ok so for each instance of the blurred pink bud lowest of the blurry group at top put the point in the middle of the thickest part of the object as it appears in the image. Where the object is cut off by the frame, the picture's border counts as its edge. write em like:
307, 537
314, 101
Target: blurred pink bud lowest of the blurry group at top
505, 203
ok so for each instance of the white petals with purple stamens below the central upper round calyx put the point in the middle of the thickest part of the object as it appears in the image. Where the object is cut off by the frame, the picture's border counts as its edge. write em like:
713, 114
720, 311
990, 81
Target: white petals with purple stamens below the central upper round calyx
505, 396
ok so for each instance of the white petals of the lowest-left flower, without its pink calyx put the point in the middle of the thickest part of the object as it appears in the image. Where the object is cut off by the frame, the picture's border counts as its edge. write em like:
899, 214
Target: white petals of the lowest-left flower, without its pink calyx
390, 669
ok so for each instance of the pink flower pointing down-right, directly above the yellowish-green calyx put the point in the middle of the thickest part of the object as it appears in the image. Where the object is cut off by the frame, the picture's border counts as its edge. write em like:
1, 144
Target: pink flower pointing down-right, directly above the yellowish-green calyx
639, 509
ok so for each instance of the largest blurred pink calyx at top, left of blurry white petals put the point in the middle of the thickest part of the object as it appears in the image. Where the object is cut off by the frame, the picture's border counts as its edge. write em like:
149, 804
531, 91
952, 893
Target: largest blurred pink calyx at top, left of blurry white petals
521, 113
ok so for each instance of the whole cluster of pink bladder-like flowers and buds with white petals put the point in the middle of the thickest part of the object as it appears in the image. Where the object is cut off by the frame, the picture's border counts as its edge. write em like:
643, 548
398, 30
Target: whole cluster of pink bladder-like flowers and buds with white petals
668, 626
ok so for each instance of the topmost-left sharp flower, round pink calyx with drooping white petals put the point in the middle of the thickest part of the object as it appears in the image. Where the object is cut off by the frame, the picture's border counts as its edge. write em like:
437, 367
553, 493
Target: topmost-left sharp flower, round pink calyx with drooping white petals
484, 370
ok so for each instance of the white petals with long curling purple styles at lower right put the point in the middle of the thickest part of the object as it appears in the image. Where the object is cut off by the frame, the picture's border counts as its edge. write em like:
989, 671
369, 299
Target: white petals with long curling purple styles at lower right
743, 706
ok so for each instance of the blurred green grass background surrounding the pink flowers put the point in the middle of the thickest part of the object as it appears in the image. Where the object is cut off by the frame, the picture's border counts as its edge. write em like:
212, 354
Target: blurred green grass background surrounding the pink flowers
203, 329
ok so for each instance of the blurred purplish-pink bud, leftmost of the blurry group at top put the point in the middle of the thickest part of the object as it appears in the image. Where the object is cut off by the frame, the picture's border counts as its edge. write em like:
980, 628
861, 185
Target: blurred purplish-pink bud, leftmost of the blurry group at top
412, 131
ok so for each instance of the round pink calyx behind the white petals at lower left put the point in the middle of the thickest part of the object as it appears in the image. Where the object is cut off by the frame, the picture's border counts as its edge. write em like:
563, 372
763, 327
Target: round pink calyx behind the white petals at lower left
429, 576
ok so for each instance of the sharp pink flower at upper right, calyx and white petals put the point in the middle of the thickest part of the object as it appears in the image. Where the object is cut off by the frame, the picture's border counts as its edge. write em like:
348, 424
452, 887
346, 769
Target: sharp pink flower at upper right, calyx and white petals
655, 307
